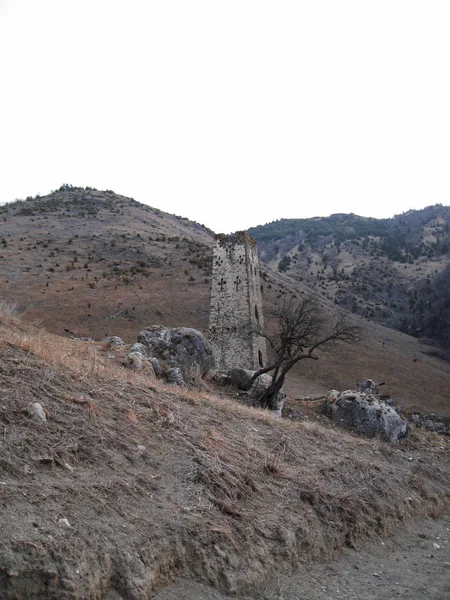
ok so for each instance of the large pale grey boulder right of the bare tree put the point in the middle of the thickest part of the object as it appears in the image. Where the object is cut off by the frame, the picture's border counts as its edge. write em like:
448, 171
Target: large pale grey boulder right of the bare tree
366, 414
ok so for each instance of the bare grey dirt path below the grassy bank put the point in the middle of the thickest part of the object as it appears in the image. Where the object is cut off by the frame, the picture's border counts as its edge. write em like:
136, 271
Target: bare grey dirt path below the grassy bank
412, 565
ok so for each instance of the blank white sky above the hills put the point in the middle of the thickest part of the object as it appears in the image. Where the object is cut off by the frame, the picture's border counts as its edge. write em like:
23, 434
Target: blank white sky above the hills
231, 113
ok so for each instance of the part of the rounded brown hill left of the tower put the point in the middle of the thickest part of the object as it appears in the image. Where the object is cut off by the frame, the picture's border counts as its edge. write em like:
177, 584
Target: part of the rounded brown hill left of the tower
94, 263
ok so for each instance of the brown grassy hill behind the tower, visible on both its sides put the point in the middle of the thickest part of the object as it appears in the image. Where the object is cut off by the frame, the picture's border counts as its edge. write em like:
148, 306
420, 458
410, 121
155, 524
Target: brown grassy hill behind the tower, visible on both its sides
88, 263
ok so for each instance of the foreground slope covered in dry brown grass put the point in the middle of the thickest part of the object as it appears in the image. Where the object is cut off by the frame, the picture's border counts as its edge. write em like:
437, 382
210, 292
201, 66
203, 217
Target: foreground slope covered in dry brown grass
130, 483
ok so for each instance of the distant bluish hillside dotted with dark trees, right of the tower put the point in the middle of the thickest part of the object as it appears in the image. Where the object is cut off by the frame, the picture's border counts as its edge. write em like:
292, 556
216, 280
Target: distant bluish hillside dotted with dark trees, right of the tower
392, 271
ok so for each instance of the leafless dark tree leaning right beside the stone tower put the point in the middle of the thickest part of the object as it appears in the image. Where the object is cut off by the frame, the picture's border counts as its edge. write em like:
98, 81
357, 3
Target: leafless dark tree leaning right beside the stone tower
302, 329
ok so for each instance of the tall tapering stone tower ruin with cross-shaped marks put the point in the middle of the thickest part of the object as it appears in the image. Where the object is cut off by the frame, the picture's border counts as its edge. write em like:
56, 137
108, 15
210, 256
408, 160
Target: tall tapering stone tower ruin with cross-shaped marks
236, 304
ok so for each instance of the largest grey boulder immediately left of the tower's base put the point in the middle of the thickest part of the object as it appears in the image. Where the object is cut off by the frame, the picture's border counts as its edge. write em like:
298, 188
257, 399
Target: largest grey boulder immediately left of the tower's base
180, 347
